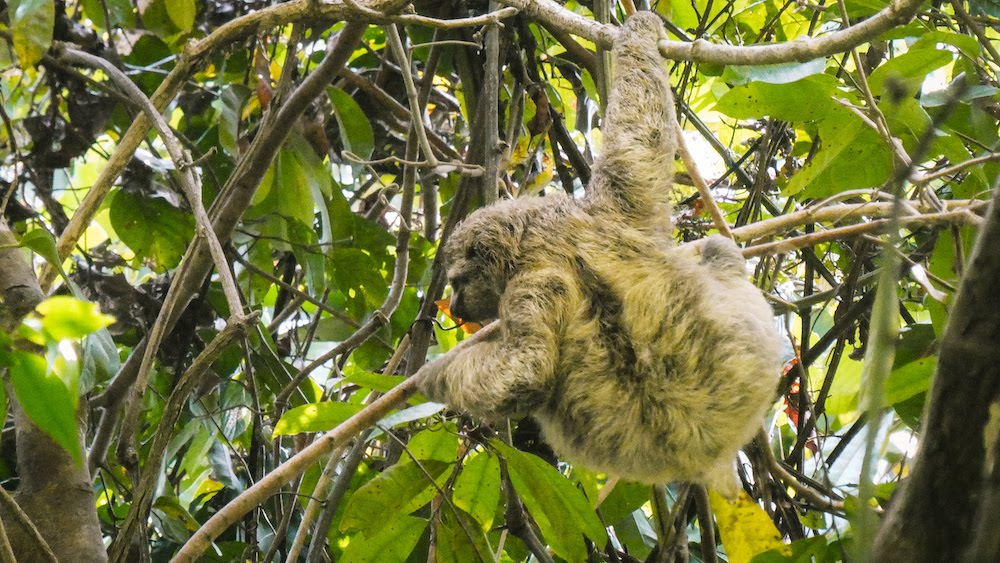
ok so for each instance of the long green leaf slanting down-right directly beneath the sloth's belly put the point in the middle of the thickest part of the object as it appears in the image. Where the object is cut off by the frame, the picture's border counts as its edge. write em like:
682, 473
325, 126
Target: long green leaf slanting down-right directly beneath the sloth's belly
562, 512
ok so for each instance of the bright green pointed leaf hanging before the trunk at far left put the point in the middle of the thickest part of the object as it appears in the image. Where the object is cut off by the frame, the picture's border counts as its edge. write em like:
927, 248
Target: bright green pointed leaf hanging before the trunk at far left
47, 400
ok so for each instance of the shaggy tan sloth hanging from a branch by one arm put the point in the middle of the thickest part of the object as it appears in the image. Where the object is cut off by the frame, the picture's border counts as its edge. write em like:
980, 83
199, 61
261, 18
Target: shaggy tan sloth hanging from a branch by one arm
636, 358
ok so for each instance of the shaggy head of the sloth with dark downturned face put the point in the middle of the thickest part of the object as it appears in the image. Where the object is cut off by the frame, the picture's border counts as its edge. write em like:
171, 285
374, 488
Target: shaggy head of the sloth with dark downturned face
483, 254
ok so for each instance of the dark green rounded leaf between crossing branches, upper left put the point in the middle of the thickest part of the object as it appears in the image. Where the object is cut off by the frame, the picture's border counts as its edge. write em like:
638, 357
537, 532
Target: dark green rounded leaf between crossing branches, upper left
154, 229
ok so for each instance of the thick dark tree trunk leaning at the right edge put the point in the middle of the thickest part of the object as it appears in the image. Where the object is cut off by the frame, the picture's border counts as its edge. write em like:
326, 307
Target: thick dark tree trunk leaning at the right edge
933, 518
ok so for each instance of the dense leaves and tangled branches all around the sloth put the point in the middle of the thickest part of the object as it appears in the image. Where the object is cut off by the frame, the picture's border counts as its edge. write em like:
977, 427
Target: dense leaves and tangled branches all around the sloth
331, 158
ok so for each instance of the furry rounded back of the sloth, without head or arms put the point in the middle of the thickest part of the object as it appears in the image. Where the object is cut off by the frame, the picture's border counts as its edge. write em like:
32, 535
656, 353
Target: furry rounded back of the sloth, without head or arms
666, 367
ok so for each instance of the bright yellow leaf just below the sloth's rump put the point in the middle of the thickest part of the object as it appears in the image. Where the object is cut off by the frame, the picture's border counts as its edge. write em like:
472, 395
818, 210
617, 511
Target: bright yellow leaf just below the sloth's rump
744, 527
